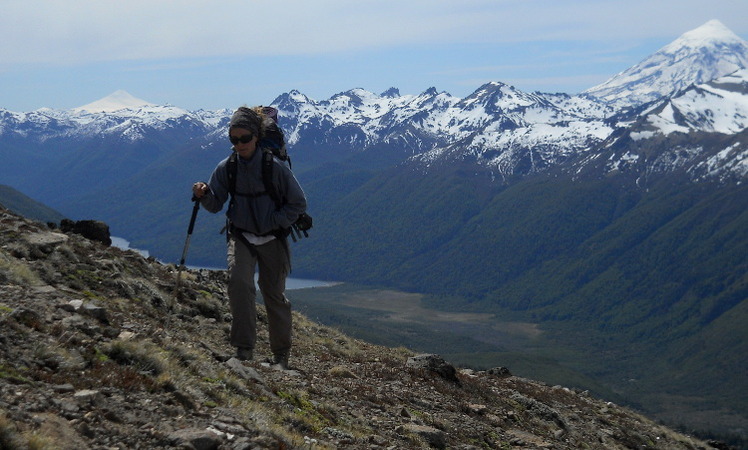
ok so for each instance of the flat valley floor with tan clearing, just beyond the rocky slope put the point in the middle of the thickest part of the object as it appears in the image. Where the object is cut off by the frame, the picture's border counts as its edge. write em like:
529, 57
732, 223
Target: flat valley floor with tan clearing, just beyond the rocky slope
483, 340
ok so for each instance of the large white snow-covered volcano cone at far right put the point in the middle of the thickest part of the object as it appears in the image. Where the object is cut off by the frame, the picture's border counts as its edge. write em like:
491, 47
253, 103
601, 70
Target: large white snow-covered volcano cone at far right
698, 56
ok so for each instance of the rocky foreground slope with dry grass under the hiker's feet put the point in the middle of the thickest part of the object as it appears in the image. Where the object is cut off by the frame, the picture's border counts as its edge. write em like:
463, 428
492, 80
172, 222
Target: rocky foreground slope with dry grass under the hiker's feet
96, 352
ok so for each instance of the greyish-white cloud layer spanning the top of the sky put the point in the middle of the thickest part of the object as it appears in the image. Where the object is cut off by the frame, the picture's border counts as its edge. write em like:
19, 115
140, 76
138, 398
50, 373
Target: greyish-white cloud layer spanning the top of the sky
80, 31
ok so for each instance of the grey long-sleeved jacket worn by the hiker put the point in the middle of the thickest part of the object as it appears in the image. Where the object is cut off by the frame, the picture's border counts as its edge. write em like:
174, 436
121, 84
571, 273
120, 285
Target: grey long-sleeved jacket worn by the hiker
252, 212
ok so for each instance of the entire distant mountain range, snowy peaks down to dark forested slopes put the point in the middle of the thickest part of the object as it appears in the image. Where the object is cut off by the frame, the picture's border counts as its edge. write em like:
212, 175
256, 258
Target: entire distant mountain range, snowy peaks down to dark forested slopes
620, 210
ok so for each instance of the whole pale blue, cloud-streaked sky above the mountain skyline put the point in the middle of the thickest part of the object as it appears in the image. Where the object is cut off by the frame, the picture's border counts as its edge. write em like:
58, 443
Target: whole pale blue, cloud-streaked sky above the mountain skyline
200, 54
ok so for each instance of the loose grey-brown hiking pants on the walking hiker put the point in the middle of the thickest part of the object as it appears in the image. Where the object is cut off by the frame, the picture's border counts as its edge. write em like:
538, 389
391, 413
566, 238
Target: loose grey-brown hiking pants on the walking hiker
274, 265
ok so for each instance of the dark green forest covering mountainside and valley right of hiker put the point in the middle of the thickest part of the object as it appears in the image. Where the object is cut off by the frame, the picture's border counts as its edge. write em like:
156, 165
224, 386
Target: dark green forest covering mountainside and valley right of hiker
642, 291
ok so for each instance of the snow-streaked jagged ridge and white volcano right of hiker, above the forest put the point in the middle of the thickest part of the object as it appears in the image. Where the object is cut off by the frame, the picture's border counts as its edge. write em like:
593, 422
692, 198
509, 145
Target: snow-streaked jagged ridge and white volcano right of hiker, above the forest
511, 132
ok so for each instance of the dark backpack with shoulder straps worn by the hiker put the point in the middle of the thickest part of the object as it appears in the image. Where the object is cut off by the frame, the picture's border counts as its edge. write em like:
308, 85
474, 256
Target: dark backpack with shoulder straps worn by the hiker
272, 145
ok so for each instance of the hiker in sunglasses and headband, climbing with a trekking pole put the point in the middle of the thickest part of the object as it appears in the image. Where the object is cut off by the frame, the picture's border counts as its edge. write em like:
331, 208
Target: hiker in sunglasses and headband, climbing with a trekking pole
255, 235
